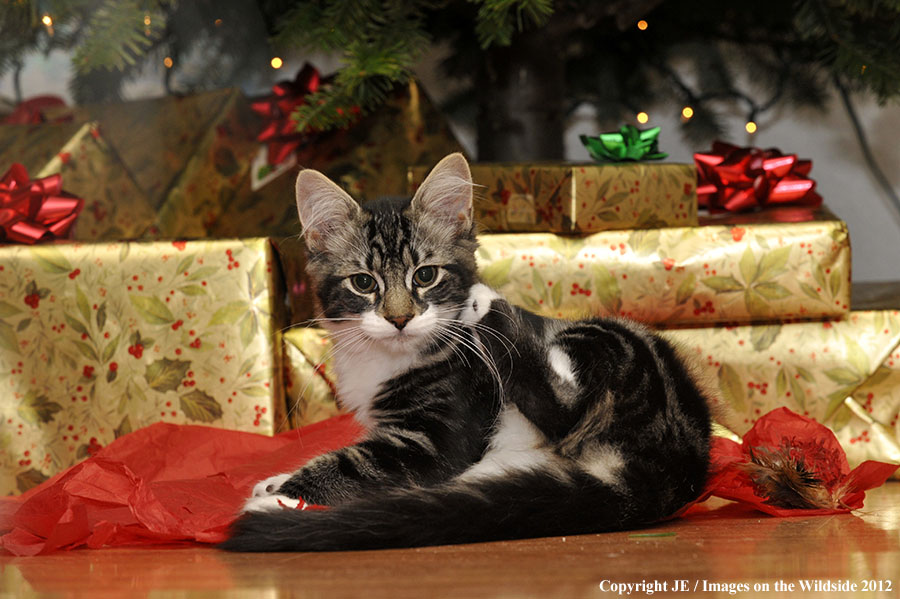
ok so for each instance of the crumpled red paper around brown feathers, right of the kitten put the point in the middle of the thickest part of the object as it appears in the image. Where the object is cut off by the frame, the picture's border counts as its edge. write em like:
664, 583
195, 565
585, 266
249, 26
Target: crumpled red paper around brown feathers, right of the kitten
820, 449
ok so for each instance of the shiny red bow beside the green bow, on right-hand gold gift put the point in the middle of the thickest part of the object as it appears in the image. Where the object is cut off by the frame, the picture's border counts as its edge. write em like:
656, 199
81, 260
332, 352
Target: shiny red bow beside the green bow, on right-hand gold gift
738, 179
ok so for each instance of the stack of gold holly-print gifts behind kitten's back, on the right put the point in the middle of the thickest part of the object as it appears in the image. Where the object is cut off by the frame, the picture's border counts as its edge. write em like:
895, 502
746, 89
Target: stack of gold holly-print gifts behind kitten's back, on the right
762, 301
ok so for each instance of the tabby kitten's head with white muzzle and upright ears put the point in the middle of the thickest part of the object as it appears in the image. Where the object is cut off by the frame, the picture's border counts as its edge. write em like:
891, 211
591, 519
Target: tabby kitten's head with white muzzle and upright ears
391, 271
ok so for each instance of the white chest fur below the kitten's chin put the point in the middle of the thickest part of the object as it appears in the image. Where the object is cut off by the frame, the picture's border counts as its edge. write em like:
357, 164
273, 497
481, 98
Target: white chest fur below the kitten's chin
360, 377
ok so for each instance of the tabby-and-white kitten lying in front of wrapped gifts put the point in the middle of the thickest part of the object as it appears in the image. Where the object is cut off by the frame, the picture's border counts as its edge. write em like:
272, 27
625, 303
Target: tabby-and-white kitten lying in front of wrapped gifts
484, 421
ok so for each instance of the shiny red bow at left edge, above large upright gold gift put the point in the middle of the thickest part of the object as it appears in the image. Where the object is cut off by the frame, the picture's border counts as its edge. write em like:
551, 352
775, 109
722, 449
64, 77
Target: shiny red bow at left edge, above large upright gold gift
31, 211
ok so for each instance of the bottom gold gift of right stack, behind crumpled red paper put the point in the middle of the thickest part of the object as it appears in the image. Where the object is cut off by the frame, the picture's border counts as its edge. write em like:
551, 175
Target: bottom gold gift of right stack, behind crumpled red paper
842, 373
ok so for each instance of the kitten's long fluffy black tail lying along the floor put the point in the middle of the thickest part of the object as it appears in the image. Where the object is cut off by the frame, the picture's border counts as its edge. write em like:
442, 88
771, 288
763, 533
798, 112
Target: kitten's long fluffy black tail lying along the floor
518, 505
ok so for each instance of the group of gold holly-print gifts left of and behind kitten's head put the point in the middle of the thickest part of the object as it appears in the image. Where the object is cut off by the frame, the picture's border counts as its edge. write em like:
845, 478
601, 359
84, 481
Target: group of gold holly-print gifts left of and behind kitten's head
169, 304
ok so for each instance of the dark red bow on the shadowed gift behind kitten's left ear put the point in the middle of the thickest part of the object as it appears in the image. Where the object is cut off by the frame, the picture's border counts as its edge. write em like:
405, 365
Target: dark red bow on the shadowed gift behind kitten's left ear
280, 132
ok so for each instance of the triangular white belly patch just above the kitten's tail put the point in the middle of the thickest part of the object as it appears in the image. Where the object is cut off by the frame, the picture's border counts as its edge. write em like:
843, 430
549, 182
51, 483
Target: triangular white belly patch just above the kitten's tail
516, 445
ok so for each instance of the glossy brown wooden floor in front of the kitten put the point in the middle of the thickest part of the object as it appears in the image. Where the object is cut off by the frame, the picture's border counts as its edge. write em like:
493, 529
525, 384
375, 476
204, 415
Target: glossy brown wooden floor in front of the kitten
723, 549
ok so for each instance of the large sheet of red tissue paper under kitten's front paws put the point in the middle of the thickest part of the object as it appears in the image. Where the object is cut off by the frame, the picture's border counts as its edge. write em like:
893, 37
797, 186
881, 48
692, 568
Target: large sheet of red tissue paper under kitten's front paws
162, 484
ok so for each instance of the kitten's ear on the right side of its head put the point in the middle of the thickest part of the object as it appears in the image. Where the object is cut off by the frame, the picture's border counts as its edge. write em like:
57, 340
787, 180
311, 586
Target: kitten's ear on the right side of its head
446, 194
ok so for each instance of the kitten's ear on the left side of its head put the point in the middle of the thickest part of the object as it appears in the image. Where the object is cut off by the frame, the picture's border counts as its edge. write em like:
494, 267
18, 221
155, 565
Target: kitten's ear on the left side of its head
324, 208
